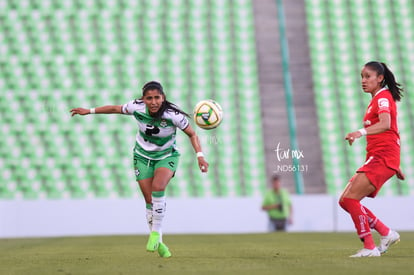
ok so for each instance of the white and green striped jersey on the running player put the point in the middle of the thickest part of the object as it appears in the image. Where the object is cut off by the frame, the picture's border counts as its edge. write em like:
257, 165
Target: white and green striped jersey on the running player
155, 138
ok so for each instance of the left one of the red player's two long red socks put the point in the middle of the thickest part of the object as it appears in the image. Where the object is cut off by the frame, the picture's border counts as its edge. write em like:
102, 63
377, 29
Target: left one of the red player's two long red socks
360, 219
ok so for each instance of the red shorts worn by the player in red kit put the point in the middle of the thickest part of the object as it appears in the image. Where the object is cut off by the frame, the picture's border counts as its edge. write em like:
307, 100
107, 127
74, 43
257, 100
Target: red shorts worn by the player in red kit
377, 172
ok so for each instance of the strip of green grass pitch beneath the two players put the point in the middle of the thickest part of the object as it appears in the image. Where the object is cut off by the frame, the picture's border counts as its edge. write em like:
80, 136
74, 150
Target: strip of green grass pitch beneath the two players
273, 253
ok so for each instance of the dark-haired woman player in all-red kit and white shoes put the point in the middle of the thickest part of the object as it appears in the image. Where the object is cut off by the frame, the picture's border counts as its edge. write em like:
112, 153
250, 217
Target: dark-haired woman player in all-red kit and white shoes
382, 159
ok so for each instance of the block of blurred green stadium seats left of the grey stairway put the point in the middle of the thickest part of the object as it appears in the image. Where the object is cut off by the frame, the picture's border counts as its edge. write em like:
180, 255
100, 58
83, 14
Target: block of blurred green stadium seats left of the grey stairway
55, 55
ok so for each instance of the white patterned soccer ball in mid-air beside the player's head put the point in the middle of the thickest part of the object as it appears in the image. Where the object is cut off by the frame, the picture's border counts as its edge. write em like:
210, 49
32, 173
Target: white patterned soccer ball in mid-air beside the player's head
208, 114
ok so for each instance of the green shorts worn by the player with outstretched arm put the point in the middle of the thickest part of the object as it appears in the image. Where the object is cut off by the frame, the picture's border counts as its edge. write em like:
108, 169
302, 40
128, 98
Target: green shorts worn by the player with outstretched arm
144, 168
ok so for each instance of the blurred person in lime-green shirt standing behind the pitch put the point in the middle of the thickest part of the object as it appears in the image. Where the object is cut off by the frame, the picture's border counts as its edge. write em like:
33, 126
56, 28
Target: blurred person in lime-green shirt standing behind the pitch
278, 205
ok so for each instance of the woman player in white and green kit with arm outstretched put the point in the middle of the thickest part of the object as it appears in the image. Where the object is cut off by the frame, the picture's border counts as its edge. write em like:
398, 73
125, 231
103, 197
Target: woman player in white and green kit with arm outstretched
155, 153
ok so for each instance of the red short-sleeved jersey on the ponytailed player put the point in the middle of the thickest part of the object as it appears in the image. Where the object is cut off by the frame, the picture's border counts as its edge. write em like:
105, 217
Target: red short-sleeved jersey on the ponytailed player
385, 144
